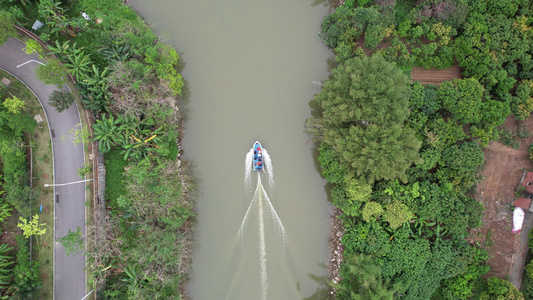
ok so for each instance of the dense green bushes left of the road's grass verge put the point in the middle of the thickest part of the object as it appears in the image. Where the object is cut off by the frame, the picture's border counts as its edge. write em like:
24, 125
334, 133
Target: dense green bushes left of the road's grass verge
19, 277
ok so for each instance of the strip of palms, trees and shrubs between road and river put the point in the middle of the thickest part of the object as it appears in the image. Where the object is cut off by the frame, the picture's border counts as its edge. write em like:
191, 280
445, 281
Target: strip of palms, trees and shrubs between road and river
130, 82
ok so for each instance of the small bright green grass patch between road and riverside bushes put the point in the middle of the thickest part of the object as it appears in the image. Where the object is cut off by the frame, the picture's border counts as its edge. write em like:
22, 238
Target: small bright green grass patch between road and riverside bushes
114, 165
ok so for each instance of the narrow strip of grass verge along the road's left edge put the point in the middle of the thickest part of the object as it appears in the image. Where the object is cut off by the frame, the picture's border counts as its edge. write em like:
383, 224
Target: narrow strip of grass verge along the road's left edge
42, 172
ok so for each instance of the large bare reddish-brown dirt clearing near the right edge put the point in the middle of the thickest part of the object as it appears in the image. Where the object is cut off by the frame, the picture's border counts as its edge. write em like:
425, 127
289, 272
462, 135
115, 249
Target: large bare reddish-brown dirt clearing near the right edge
501, 176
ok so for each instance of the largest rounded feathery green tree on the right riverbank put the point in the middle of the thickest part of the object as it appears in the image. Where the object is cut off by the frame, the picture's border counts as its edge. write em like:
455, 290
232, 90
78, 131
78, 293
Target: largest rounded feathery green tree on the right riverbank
365, 105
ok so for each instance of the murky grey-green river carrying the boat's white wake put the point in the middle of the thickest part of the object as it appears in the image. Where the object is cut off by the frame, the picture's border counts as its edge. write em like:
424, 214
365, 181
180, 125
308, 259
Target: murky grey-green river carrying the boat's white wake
252, 68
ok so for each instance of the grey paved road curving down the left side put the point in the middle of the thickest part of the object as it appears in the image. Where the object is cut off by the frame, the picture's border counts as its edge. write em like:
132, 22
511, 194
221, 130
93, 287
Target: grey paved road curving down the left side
69, 274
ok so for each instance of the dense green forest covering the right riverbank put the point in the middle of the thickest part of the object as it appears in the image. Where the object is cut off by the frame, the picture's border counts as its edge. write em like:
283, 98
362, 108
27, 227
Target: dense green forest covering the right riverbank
404, 158
